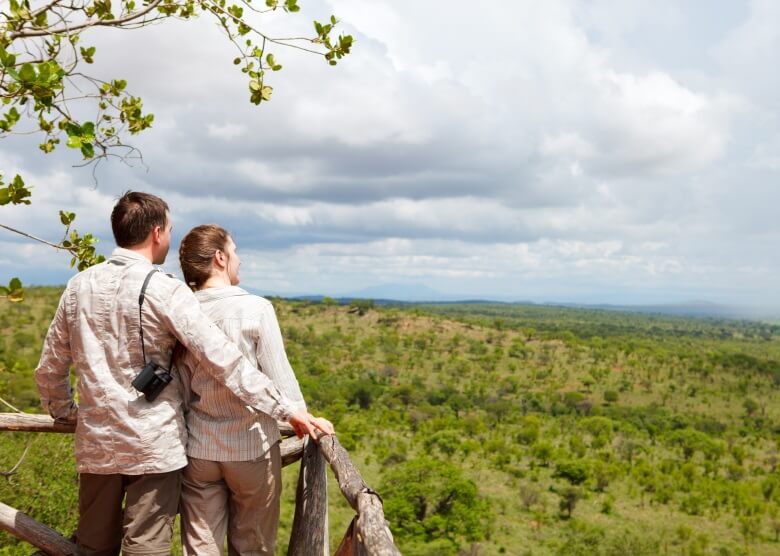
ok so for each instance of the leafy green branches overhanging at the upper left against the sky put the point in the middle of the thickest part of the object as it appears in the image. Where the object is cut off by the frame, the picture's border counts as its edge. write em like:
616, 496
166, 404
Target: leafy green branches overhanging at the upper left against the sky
46, 84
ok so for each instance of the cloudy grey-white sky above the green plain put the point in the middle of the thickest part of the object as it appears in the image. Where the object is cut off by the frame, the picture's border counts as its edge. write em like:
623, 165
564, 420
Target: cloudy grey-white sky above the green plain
566, 150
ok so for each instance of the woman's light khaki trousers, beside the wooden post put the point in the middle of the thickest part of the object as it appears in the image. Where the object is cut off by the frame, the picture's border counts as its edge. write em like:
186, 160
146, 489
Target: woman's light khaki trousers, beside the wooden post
239, 499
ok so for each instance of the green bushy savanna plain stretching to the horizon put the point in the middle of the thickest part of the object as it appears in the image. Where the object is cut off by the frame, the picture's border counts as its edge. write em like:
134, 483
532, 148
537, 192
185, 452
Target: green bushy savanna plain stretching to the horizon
499, 429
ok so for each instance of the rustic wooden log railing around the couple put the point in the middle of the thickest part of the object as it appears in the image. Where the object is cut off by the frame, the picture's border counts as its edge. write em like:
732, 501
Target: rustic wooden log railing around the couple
367, 534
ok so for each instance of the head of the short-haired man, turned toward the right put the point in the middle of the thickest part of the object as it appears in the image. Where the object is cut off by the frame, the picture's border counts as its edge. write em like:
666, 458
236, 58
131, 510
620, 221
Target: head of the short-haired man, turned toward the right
142, 220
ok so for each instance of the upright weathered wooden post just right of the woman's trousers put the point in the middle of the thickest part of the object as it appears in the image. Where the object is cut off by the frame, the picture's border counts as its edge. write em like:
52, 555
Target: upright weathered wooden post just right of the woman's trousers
309, 536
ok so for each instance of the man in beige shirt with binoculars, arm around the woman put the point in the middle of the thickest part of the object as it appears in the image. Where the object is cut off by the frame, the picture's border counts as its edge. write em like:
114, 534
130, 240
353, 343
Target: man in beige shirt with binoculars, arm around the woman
128, 447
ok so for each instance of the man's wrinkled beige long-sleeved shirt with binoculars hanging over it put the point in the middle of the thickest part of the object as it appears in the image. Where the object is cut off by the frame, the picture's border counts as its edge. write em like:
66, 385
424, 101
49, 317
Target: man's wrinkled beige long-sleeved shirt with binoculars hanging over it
96, 328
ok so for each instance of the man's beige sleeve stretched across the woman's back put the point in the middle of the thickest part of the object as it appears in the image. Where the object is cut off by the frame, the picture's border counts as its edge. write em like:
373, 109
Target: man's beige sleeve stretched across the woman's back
220, 357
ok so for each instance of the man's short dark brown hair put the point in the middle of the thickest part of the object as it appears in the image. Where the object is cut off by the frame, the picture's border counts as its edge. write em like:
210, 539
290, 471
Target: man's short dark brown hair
135, 215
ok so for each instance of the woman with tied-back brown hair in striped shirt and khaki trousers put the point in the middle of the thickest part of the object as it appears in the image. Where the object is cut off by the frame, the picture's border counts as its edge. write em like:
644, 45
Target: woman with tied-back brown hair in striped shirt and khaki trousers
232, 484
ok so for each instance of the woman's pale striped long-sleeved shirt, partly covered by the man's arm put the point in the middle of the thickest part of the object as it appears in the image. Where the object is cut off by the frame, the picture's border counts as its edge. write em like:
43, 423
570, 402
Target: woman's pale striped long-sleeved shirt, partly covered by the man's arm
221, 426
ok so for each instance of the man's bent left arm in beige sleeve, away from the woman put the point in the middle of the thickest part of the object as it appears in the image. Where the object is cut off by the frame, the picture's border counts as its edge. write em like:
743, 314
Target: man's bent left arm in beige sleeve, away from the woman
52, 376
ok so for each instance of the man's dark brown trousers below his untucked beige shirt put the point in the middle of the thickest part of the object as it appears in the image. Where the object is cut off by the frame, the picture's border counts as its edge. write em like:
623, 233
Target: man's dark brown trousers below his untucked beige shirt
143, 527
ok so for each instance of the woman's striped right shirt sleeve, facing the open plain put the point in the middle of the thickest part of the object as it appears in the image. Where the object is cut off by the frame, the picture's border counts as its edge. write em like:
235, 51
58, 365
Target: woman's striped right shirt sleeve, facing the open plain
272, 357
